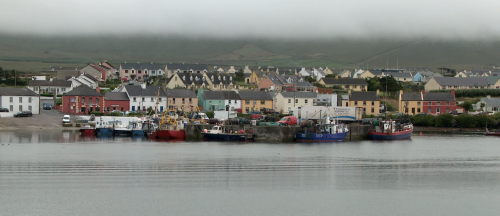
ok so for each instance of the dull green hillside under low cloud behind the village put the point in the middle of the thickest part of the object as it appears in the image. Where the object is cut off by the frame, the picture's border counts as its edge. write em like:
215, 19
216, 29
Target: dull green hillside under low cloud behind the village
31, 53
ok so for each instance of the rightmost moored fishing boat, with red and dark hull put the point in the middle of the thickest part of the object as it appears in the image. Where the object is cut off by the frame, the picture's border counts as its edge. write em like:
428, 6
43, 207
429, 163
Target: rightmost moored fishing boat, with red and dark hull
390, 130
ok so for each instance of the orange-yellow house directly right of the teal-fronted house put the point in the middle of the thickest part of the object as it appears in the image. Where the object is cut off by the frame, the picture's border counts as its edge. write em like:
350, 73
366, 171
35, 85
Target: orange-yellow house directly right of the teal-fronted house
255, 100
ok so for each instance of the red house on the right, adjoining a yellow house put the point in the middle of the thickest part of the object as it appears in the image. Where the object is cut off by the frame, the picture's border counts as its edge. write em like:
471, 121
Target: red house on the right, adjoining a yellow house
436, 103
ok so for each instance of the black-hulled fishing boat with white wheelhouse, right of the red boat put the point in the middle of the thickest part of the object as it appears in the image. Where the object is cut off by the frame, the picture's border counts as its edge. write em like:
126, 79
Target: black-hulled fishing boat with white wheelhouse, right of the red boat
221, 133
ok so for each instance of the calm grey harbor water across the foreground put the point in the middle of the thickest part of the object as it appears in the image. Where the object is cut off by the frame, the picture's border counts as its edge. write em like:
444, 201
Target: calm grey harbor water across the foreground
60, 173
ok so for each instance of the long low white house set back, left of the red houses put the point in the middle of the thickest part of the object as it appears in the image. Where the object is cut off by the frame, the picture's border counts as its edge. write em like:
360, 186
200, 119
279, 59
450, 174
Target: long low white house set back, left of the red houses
53, 86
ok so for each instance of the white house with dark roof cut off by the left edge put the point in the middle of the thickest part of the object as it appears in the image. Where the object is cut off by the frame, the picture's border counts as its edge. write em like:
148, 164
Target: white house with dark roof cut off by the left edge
18, 99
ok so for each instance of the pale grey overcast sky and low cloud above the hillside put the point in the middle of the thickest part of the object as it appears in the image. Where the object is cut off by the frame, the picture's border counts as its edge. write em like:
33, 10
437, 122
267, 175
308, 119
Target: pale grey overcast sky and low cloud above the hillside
312, 19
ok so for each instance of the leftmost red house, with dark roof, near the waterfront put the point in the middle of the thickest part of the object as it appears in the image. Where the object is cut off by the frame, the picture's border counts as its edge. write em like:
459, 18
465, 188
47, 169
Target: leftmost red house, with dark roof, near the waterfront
82, 100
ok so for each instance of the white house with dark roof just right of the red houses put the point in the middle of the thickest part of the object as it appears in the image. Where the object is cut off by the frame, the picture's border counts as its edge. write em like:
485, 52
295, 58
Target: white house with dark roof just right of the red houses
143, 97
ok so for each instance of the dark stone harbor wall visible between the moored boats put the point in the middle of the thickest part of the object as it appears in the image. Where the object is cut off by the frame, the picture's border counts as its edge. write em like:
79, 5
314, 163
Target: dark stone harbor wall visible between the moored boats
273, 133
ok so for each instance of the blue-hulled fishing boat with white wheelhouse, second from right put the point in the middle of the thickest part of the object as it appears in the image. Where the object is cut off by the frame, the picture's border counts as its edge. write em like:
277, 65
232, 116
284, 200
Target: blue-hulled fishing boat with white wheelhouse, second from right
330, 131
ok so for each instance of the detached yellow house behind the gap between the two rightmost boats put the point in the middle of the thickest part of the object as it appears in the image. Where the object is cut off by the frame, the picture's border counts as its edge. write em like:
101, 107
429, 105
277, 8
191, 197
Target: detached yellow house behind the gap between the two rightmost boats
368, 101
